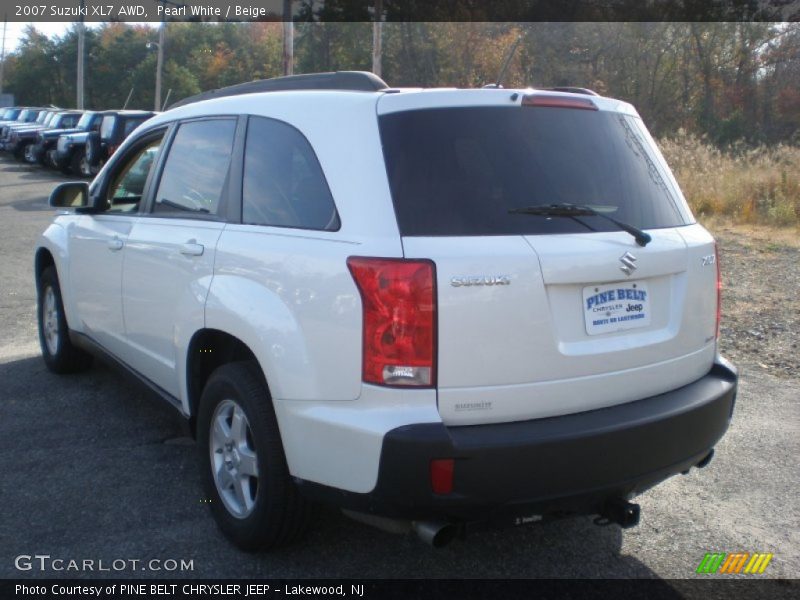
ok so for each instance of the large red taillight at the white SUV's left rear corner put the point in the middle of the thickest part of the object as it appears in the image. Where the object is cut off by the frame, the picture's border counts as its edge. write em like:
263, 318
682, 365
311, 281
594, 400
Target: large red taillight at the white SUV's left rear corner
399, 309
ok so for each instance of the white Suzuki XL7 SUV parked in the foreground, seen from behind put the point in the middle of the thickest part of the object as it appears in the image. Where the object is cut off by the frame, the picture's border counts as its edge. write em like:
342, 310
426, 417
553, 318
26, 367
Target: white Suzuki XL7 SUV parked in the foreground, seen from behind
428, 307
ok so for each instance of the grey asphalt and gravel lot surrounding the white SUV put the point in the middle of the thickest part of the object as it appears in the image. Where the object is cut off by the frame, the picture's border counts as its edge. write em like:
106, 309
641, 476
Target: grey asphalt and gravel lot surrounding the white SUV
95, 468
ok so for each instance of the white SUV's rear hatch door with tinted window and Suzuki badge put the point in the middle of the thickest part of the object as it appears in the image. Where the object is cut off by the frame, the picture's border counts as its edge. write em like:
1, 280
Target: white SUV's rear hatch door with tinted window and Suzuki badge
537, 315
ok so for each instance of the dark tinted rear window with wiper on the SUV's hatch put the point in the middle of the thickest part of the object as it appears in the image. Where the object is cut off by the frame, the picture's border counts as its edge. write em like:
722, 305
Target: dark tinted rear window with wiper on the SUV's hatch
458, 171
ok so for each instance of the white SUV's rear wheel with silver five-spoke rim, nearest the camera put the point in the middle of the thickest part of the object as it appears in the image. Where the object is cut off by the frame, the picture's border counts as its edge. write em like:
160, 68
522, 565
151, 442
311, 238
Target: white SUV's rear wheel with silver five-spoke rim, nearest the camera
253, 498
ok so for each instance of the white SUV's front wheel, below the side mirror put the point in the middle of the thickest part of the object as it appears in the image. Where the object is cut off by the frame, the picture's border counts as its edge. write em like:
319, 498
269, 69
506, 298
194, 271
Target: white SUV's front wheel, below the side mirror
59, 354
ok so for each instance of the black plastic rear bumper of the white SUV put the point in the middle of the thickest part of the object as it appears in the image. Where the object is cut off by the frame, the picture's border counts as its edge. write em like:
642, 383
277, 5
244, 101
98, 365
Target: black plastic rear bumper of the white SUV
572, 463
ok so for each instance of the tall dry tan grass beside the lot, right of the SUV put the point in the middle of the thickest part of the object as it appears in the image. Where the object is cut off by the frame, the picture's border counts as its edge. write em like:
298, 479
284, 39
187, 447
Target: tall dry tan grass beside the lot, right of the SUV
747, 185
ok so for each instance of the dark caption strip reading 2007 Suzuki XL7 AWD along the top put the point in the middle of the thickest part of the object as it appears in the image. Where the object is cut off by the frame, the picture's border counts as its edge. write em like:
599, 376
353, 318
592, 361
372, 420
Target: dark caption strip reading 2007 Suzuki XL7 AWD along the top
400, 10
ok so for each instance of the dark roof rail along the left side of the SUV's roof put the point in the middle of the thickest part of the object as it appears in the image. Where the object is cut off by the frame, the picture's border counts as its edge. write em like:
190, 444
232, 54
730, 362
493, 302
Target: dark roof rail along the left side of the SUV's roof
357, 81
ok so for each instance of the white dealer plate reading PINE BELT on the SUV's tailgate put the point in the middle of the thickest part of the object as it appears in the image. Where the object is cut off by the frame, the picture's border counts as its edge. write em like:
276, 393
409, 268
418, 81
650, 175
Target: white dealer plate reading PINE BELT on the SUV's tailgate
616, 307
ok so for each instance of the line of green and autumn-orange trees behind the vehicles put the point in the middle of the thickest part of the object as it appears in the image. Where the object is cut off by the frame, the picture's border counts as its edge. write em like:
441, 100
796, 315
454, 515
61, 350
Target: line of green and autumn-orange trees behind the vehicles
729, 82
